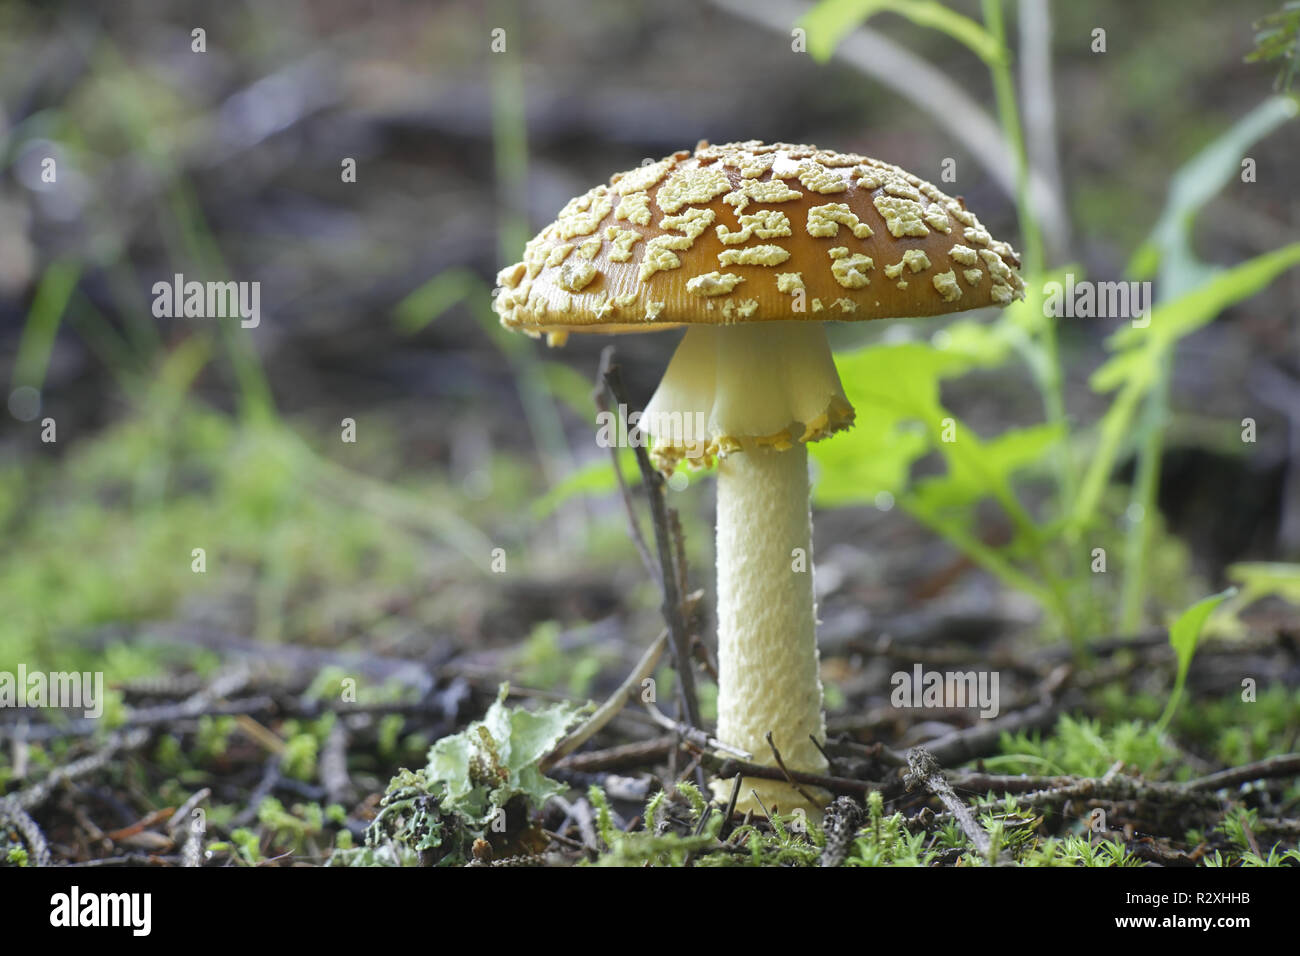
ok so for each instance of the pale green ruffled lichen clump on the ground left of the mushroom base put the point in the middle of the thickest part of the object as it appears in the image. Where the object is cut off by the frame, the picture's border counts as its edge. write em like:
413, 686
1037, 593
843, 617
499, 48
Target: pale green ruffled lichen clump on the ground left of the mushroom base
463, 793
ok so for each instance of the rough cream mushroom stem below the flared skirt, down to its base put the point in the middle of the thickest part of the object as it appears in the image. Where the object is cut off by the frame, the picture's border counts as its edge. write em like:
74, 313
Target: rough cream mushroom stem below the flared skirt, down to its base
768, 659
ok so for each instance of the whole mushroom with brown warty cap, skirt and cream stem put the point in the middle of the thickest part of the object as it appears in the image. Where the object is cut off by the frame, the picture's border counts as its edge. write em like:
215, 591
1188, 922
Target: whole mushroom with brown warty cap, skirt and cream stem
753, 248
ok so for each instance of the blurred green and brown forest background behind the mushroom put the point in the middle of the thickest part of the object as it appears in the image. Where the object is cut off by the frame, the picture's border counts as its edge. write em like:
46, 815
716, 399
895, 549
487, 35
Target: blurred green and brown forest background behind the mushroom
471, 124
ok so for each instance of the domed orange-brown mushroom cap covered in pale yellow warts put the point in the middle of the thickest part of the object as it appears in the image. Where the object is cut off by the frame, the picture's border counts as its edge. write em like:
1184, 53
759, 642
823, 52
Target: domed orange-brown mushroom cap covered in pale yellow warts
752, 232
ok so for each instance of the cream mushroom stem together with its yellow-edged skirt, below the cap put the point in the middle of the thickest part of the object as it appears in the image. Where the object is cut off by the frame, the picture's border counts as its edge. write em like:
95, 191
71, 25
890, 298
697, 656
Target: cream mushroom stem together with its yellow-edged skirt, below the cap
755, 395
